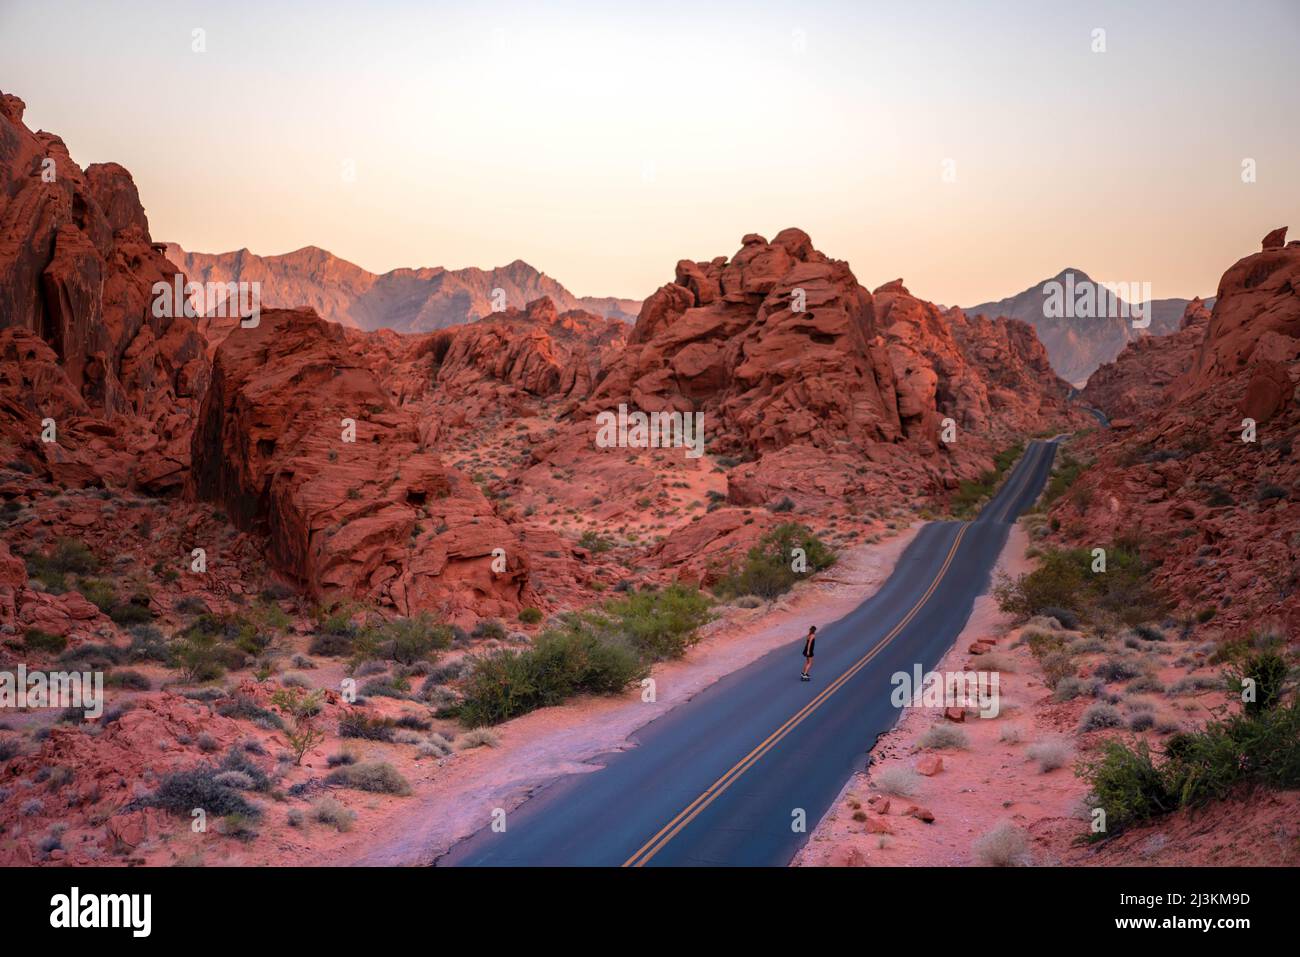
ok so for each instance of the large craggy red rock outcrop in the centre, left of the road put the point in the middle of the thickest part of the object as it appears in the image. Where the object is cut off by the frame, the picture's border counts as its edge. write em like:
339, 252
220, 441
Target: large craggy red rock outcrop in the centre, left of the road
781, 347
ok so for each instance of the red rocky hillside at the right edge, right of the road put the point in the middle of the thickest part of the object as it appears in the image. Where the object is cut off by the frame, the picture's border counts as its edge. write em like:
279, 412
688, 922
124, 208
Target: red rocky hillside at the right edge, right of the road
1220, 513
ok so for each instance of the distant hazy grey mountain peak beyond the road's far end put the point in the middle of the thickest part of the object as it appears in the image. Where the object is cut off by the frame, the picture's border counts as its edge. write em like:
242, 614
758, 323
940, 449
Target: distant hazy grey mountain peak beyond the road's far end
1077, 345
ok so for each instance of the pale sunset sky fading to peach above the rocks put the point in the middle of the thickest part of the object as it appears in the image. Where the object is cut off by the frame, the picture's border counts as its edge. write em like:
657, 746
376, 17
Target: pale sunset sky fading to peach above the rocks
973, 150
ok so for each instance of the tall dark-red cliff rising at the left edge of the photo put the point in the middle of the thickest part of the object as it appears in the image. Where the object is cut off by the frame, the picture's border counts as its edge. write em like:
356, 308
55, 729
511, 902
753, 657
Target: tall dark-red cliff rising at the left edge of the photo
79, 339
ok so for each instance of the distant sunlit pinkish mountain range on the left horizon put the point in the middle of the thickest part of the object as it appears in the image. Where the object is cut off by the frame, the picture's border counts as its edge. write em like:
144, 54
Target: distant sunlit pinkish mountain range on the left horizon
409, 301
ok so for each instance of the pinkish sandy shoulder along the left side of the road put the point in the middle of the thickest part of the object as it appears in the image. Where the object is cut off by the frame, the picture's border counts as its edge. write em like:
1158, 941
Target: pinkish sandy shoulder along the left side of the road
538, 748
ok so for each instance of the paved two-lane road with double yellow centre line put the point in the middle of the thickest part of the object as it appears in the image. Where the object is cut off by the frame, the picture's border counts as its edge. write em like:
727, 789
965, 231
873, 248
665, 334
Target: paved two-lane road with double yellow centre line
722, 780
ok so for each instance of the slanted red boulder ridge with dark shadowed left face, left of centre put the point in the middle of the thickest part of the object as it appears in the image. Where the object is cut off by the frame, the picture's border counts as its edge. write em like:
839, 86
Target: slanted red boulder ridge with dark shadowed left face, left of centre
378, 518
